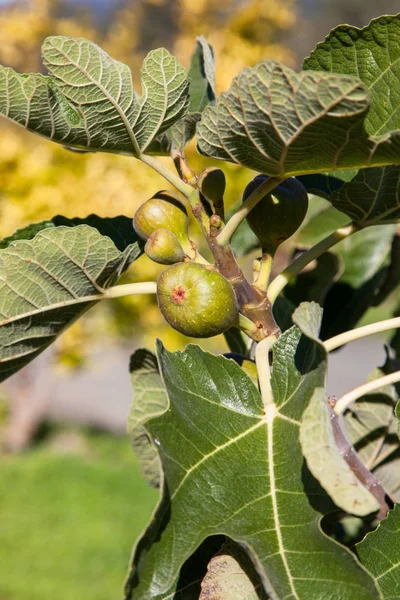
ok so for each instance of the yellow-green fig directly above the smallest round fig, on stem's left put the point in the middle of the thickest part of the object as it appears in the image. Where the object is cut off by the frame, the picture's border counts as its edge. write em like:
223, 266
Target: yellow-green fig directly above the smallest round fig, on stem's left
163, 211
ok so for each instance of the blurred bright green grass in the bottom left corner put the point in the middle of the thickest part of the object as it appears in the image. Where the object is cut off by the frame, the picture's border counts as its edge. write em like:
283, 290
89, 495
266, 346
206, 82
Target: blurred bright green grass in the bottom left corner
68, 520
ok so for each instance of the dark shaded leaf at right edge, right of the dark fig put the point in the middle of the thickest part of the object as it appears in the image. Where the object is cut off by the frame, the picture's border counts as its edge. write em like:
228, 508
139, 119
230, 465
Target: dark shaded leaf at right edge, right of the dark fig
372, 197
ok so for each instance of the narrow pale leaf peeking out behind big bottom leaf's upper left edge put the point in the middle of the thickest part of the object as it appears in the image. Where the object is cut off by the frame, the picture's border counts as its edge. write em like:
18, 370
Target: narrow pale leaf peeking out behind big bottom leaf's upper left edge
150, 399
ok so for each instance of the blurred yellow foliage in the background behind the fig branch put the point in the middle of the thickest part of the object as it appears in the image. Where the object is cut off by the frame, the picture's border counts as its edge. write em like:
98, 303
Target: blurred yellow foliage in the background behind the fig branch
40, 179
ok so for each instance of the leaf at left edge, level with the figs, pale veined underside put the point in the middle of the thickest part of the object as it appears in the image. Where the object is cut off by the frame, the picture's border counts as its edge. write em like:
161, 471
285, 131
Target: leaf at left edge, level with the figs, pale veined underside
47, 282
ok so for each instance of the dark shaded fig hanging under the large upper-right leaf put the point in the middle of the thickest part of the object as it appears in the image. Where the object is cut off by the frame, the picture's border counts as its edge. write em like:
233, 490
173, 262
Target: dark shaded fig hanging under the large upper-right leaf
279, 214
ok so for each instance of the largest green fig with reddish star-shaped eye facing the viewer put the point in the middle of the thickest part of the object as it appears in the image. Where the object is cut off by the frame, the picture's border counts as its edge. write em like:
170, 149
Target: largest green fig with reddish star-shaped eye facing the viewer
196, 300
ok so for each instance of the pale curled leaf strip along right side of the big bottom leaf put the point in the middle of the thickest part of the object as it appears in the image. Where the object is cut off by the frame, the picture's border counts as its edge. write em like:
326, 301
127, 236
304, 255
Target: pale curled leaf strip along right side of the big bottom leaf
327, 464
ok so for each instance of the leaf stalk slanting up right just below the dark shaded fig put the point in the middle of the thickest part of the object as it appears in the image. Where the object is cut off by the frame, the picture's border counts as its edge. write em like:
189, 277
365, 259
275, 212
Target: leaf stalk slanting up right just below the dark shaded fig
278, 284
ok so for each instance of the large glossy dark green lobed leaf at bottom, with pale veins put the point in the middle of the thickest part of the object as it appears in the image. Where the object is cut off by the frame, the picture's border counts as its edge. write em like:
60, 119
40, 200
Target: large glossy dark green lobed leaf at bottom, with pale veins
233, 468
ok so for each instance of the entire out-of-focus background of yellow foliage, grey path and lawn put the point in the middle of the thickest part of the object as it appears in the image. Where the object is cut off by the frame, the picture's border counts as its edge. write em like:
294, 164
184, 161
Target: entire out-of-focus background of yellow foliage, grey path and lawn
72, 499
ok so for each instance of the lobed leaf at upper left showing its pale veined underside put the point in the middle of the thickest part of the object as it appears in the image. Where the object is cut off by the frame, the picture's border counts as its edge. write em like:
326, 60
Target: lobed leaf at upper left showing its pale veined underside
88, 101
